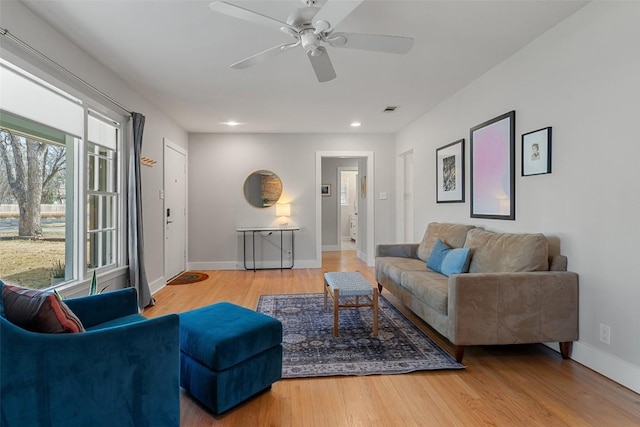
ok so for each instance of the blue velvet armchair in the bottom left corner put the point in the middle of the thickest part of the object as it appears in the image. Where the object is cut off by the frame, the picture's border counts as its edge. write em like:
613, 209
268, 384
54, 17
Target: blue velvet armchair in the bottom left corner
123, 371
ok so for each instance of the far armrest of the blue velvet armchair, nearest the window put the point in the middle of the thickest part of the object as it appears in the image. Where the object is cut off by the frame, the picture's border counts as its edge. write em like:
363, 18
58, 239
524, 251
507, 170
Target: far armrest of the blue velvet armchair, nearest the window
95, 309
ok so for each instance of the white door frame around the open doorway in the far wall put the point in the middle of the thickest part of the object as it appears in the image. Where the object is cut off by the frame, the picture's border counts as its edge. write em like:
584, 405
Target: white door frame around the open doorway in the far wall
369, 255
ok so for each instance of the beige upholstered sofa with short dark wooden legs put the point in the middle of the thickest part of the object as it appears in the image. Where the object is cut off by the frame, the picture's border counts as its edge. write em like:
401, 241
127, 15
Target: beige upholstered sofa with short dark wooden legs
513, 293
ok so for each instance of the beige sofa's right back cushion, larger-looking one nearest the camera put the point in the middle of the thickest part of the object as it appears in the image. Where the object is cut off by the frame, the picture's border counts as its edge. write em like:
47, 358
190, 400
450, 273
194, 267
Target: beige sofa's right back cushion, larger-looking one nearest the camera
505, 252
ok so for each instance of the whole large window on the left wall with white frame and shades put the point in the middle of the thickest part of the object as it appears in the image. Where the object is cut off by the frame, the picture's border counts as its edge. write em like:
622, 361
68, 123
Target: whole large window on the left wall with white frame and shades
52, 146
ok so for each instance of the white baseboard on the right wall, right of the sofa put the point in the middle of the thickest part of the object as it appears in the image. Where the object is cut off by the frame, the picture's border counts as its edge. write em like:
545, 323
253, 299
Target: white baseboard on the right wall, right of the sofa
610, 366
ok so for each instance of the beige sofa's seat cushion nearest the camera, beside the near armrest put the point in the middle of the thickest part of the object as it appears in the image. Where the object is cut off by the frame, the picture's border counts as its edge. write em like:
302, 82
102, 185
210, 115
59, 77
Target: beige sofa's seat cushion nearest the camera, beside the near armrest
429, 287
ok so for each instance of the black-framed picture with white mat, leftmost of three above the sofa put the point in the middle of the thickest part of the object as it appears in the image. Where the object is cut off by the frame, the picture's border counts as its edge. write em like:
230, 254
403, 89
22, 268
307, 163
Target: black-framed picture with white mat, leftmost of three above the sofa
450, 173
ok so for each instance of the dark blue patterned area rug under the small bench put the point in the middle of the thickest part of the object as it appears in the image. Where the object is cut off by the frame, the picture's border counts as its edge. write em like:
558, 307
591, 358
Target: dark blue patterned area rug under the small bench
311, 350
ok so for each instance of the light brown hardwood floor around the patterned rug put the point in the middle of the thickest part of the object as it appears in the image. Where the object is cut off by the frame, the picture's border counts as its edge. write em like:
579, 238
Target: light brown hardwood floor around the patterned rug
525, 385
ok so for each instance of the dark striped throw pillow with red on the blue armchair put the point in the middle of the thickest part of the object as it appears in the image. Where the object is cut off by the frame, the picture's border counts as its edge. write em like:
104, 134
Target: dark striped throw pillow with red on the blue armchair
38, 311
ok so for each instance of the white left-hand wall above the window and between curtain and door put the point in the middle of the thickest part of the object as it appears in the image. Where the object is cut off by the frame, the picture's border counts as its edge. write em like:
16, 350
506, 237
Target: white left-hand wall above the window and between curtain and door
25, 25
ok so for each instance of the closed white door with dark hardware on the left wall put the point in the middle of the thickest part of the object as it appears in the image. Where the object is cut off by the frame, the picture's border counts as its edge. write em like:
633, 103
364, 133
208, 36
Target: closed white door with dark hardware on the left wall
175, 210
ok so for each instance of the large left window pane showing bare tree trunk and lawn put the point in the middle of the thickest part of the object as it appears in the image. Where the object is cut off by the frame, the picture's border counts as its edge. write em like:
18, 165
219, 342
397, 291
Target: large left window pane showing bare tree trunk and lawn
36, 210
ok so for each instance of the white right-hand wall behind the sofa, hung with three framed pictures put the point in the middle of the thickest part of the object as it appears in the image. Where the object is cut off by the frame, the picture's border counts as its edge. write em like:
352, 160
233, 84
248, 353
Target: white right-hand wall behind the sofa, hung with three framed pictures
583, 79
